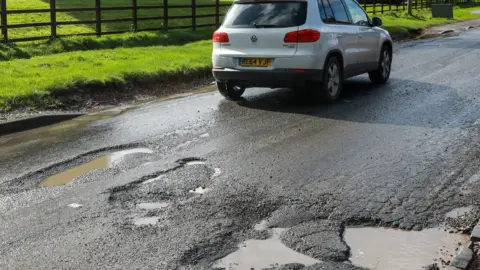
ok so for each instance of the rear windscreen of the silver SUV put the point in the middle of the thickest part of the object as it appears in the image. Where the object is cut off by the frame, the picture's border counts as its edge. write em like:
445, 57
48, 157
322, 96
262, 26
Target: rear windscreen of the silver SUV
266, 15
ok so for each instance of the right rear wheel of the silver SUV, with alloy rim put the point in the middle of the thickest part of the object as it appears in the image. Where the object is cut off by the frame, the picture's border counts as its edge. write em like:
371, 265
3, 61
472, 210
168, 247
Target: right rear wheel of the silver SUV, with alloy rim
332, 83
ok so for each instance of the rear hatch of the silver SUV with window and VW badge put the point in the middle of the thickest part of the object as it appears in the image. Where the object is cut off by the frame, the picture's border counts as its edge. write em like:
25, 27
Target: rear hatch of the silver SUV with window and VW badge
258, 28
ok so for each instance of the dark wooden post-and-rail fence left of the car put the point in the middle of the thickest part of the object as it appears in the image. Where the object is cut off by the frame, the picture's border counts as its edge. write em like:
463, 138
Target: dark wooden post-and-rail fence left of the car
98, 9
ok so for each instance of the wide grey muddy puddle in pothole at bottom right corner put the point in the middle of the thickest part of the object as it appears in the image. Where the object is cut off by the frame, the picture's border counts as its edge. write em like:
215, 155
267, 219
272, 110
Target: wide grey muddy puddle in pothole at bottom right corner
392, 249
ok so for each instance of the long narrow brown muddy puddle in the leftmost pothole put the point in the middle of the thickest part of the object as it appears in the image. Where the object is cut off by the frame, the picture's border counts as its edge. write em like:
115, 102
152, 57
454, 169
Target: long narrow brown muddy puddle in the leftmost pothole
103, 162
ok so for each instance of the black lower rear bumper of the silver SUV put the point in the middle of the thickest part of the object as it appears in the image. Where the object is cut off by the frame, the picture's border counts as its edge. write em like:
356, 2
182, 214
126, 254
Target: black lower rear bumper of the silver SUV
268, 78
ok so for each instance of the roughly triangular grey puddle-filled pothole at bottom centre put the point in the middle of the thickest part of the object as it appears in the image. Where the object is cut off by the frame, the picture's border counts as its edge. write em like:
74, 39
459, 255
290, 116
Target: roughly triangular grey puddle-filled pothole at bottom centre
260, 254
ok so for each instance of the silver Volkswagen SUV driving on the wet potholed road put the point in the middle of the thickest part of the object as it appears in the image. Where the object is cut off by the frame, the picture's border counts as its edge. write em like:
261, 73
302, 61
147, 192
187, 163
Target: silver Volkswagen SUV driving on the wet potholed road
304, 44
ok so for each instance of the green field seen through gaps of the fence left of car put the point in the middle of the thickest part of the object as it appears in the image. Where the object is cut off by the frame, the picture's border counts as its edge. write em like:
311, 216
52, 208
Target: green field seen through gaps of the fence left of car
118, 26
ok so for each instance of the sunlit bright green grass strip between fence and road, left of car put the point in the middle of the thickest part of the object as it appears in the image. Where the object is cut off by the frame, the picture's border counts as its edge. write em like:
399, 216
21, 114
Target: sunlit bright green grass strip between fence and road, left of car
37, 81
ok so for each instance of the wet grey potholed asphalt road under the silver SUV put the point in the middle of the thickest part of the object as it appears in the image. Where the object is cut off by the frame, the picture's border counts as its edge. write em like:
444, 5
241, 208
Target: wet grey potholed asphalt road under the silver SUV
400, 155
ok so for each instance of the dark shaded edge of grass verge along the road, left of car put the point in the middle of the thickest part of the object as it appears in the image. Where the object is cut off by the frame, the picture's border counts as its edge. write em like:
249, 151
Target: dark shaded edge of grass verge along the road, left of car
83, 95
